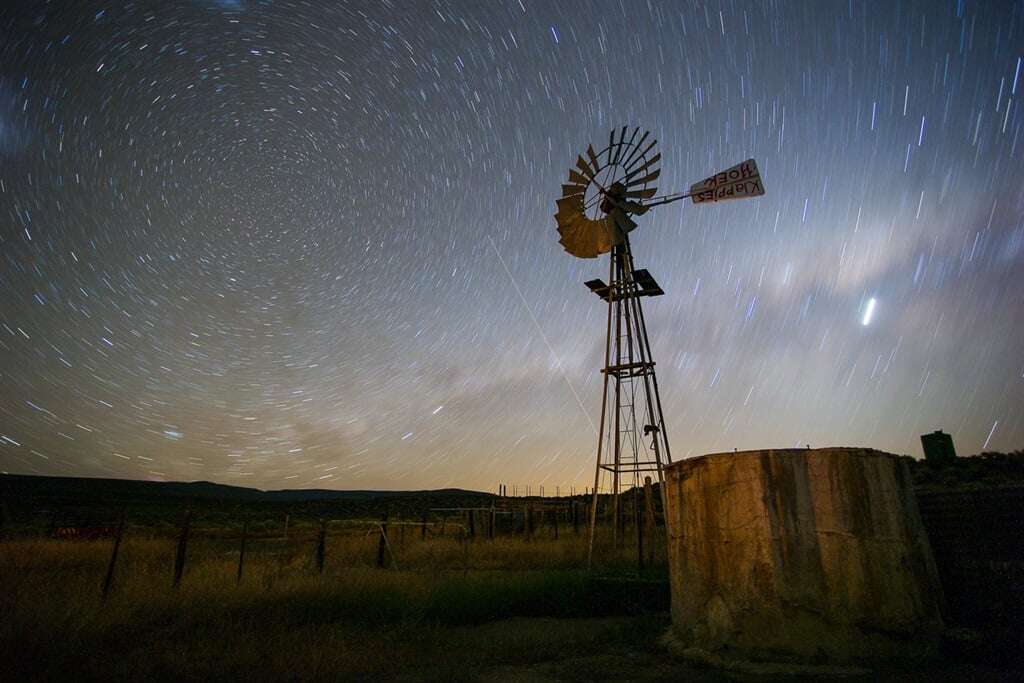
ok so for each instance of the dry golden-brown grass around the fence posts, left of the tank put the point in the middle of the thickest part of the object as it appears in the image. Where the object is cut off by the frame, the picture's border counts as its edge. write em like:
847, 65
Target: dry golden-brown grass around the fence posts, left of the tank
452, 611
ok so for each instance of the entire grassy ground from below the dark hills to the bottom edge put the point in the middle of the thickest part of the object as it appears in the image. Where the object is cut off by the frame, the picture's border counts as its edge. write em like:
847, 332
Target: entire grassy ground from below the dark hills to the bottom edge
434, 604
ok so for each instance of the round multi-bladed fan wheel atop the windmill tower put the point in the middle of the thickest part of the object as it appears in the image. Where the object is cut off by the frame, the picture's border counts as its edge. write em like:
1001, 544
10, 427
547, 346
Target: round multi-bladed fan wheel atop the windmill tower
604, 190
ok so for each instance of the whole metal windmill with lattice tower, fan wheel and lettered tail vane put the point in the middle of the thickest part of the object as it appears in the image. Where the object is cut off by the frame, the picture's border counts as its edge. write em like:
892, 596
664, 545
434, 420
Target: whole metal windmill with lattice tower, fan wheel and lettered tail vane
605, 192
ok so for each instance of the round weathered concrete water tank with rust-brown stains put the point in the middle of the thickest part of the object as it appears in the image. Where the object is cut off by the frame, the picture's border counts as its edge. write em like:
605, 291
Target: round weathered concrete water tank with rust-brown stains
809, 556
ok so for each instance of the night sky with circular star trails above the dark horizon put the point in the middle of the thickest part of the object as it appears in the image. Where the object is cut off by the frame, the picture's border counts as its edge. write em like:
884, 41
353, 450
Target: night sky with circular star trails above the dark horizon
287, 244
